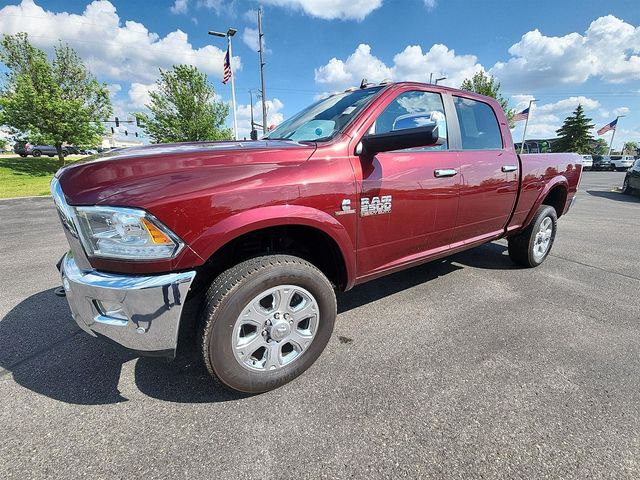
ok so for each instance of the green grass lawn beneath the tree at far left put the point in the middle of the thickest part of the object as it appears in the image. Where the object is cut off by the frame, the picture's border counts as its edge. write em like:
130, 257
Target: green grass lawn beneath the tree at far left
29, 176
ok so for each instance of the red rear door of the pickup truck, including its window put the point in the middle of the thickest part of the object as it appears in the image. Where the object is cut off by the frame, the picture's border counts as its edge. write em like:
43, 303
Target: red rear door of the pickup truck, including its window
489, 174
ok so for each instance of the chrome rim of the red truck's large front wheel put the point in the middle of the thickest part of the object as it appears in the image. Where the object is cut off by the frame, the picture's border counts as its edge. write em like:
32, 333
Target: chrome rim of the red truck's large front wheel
275, 328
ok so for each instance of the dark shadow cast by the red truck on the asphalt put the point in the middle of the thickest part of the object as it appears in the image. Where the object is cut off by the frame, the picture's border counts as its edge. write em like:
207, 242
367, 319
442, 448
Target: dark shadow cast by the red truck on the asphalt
45, 352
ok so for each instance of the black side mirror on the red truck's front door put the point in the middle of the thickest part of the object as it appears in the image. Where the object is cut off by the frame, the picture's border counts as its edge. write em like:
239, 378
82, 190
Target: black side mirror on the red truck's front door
426, 136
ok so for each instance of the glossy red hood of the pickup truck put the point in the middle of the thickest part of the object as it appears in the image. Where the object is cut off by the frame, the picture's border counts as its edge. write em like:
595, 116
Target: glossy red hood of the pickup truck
151, 172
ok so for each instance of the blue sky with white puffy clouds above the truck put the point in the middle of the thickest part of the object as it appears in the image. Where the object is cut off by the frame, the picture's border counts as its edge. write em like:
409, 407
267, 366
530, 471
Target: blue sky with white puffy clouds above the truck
561, 53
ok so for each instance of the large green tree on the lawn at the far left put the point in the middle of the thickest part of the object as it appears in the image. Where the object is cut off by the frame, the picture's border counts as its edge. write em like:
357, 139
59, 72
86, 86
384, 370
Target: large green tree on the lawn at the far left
58, 102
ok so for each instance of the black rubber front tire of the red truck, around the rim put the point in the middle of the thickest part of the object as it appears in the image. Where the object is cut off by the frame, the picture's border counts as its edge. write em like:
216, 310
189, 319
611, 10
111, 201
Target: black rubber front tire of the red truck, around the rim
220, 350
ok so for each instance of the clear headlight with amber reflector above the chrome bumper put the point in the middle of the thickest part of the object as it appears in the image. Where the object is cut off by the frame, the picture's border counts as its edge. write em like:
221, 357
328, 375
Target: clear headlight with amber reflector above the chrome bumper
114, 232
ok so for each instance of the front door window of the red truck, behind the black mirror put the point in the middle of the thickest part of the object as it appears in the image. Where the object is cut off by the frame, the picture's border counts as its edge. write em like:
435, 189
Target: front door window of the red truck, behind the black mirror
414, 109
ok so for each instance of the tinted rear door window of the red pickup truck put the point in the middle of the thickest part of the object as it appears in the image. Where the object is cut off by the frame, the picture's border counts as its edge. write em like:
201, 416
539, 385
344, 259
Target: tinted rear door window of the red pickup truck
478, 125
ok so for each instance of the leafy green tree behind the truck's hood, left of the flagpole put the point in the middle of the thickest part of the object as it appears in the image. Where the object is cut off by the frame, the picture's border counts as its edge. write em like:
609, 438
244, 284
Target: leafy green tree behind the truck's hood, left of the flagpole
184, 108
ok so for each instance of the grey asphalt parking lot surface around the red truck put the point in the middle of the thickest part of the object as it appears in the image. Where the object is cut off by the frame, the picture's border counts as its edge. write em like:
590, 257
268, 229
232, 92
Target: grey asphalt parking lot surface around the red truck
462, 368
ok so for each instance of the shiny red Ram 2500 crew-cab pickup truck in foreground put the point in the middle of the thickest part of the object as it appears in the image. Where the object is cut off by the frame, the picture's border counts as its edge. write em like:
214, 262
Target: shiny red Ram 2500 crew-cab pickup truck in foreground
256, 236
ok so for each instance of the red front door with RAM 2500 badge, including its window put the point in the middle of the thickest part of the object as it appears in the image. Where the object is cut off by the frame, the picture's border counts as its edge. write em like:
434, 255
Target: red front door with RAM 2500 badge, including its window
408, 198
